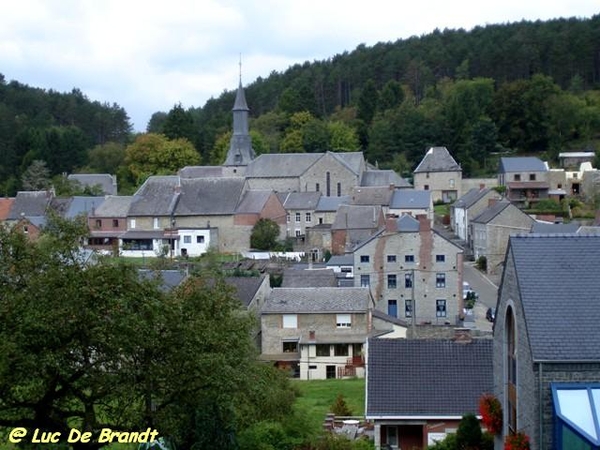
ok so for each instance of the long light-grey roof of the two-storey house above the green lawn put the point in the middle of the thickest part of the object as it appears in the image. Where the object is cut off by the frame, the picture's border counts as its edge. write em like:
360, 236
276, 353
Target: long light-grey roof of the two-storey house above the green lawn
317, 300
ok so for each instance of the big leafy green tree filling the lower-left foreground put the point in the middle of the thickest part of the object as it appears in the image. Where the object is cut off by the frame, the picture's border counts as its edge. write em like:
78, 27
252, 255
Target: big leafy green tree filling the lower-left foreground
89, 346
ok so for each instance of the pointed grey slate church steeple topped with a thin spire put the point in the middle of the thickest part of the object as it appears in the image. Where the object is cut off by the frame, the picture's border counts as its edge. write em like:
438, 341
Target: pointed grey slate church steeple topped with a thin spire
240, 151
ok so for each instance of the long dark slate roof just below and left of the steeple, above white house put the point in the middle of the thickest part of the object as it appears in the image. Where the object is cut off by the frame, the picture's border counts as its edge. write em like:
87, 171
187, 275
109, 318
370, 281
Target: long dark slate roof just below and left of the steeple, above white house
209, 196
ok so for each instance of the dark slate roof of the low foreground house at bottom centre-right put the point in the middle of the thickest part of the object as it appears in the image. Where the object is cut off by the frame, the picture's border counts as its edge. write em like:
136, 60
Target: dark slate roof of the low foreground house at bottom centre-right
439, 378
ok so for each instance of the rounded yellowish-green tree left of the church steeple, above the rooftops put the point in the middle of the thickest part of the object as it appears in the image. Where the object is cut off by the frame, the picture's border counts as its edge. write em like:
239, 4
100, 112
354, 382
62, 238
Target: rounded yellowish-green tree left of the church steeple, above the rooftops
154, 154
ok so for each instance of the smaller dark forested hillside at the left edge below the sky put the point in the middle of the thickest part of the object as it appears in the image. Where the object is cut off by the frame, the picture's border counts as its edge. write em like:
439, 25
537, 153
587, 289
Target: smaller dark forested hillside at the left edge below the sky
58, 128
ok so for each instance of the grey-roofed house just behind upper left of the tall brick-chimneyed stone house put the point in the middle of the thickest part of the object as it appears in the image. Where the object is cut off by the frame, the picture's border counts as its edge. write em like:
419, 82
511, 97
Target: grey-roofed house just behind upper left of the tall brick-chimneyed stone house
354, 224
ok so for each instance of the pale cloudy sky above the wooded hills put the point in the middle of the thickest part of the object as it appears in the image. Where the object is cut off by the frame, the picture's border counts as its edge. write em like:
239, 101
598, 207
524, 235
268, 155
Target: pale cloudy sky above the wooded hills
149, 55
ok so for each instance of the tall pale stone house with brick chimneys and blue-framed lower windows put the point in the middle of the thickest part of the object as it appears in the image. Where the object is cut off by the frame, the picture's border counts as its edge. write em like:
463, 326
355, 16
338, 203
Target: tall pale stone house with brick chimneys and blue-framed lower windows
413, 272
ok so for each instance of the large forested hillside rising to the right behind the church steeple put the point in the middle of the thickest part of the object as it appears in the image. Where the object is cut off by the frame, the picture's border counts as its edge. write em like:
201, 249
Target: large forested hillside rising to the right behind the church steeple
527, 87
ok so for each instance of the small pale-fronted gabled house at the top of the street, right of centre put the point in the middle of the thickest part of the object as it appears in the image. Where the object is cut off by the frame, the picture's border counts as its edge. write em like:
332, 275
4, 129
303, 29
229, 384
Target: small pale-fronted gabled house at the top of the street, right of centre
469, 206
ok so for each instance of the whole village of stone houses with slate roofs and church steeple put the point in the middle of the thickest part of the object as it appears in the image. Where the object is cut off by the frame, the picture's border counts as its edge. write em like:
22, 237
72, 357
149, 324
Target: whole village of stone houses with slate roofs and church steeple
437, 290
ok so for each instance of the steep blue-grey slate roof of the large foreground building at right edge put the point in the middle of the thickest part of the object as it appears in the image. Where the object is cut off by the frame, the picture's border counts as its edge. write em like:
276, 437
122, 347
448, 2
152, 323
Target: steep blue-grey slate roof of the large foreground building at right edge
559, 281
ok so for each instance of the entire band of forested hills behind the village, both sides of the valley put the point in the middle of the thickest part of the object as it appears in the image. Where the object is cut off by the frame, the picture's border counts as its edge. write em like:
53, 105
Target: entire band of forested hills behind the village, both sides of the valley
525, 88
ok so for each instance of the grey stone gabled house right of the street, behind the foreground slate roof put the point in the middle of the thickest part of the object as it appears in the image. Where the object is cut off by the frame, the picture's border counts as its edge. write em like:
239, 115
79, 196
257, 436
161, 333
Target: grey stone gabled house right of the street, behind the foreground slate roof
491, 229
